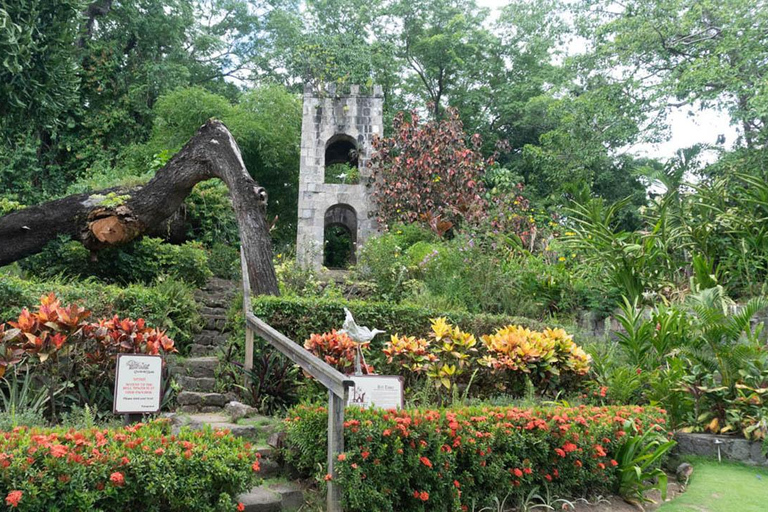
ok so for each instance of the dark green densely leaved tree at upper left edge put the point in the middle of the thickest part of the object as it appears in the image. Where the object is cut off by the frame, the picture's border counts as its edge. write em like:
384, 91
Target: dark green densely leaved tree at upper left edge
38, 88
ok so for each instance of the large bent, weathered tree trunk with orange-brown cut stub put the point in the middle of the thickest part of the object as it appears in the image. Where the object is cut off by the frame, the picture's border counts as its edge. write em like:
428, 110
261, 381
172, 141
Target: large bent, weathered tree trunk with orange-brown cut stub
211, 153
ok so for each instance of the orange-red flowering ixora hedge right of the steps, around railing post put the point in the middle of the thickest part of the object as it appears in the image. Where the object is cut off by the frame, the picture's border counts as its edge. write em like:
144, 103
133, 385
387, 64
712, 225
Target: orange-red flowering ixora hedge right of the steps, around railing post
463, 458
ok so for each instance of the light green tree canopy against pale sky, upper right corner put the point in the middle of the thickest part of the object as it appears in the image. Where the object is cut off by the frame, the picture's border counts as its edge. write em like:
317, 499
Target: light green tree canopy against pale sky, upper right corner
689, 52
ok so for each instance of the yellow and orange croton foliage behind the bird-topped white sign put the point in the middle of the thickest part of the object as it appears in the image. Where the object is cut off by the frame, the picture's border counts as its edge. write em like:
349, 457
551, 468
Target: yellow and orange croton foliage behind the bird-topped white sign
450, 358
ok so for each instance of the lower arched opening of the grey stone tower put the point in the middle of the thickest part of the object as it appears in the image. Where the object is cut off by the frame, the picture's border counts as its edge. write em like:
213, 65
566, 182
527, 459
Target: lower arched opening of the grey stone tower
339, 236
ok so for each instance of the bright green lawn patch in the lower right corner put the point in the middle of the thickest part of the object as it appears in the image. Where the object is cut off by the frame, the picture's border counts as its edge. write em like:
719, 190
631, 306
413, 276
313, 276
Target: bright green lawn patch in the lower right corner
723, 487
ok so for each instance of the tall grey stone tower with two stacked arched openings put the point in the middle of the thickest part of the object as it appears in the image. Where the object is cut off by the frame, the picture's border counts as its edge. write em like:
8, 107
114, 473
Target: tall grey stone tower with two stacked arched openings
336, 133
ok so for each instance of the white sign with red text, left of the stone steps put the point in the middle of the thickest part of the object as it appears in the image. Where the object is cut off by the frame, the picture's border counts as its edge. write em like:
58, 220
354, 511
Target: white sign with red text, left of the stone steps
138, 384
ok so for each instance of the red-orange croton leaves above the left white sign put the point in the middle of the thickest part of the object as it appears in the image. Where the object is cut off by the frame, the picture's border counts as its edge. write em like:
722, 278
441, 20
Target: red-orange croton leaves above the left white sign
55, 329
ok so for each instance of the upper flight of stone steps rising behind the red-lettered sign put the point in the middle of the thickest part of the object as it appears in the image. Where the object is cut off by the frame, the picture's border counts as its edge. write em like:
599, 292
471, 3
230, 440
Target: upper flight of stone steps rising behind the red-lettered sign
196, 373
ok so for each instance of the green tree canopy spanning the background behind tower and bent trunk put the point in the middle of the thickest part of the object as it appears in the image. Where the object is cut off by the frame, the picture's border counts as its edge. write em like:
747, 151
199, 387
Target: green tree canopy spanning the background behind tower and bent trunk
103, 91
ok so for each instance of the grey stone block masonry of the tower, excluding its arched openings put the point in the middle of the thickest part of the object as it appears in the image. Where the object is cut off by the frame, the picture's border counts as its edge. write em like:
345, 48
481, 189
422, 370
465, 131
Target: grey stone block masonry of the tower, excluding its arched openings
326, 113
